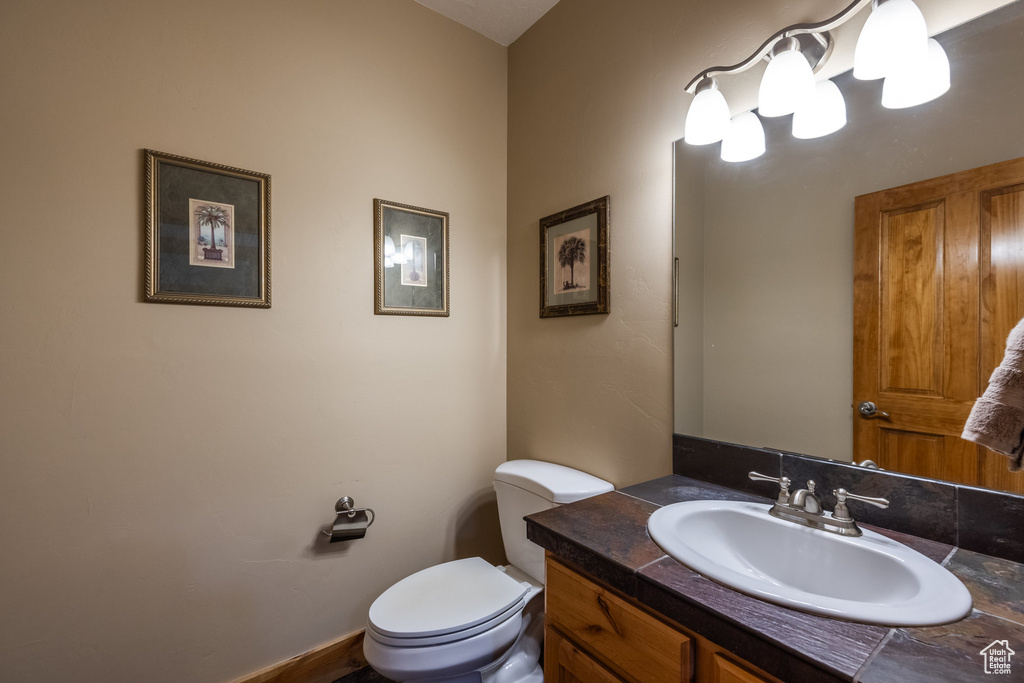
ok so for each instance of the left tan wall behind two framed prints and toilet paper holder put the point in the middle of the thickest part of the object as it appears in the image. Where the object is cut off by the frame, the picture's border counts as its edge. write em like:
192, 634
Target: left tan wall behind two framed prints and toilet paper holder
164, 469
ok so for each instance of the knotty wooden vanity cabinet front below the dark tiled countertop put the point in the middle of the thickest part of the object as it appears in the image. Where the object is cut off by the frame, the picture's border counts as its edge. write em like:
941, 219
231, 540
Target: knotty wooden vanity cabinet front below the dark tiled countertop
594, 634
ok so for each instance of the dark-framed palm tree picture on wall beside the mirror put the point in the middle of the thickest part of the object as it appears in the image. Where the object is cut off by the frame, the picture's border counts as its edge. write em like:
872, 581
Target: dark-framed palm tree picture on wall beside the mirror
575, 261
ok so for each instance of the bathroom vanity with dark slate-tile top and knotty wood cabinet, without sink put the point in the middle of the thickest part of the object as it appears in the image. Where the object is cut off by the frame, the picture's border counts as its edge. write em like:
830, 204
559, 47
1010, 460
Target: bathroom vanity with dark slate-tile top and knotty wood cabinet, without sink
620, 610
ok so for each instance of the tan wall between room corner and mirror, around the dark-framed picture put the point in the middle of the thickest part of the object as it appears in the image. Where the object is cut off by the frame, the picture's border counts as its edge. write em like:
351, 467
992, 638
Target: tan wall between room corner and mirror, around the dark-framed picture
595, 102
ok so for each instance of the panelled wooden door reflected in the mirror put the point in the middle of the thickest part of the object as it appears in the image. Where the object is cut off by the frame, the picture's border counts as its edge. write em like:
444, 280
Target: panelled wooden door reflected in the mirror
938, 285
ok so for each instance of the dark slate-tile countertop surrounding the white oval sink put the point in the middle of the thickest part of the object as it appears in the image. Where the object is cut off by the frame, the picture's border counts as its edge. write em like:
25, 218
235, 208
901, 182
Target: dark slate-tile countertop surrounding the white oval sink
607, 537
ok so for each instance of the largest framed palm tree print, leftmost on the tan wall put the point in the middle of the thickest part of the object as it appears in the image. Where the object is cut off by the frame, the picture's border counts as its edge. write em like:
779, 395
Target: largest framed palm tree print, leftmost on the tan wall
207, 233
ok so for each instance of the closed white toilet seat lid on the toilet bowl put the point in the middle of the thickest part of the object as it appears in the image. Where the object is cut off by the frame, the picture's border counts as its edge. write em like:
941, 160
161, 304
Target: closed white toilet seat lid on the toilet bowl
446, 604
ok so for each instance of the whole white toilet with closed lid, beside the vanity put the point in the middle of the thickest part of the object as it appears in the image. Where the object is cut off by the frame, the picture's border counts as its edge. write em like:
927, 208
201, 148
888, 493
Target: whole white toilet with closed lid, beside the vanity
468, 621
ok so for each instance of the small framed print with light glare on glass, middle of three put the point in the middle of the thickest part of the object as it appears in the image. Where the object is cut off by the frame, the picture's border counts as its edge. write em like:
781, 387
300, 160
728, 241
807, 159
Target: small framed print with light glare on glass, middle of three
411, 261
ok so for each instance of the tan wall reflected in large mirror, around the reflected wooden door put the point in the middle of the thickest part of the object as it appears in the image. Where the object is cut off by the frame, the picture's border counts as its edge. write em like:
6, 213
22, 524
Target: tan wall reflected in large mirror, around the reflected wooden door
764, 341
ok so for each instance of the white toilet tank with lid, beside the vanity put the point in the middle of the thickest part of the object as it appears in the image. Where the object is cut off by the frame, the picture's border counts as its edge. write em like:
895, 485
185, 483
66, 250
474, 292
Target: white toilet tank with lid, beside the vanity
526, 487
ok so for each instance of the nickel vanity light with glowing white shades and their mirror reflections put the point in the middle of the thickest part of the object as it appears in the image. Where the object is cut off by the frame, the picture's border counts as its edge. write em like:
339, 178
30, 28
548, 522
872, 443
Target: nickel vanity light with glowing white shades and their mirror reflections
893, 45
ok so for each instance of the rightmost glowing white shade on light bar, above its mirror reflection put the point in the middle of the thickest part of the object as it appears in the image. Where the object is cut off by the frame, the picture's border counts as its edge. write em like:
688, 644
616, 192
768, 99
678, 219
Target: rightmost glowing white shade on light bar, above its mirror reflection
895, 35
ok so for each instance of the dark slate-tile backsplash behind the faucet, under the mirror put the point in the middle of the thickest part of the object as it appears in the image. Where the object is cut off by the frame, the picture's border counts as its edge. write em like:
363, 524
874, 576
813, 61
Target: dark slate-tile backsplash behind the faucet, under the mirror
977, 520
